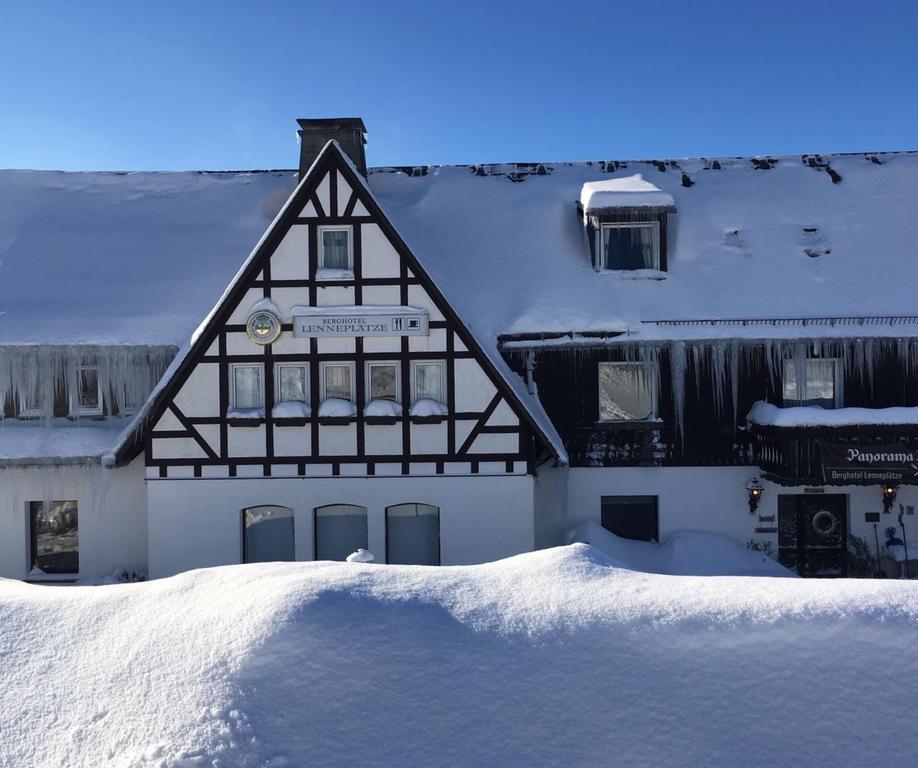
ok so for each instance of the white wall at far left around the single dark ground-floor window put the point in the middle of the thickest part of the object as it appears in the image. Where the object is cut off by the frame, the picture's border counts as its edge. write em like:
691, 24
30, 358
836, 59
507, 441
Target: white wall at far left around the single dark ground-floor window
111, 509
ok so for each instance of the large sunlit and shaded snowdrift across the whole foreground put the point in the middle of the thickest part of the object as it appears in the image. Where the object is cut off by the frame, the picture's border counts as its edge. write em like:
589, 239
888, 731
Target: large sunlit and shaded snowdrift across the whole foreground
550, 658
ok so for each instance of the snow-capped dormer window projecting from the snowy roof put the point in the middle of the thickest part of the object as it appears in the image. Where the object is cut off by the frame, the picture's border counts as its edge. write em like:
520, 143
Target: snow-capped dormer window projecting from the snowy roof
625, 220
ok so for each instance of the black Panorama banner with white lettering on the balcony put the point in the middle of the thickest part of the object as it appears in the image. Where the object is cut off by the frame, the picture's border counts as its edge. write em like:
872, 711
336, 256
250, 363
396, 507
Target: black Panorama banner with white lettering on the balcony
869, 464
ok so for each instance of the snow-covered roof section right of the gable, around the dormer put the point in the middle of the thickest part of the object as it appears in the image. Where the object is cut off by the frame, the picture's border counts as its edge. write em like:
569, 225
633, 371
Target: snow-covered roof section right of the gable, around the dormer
753, 239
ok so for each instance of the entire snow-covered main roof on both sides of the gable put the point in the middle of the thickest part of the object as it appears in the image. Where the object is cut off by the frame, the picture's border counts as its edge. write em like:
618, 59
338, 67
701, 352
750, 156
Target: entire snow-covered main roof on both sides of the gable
141, 257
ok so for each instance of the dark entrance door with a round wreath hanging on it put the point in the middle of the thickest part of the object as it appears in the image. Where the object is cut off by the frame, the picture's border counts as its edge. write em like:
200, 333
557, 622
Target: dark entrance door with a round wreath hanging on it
813, 534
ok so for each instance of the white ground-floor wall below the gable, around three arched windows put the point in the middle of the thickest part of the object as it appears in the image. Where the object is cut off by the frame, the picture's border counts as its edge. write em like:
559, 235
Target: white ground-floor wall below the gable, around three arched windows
197, 523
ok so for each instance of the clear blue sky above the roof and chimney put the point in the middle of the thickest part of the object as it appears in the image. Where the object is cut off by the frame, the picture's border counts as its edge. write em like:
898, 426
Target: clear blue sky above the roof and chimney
216, 85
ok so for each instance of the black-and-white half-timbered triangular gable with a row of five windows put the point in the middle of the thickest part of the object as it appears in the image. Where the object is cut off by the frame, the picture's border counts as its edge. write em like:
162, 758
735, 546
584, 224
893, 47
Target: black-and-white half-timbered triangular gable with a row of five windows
371, 374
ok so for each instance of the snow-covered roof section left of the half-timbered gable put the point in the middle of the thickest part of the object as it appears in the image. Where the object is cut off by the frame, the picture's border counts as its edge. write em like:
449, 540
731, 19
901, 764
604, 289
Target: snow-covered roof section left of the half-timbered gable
126, 258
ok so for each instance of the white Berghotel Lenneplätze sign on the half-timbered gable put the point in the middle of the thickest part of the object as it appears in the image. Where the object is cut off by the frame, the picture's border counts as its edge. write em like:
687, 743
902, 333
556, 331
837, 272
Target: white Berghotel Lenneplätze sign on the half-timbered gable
364, 320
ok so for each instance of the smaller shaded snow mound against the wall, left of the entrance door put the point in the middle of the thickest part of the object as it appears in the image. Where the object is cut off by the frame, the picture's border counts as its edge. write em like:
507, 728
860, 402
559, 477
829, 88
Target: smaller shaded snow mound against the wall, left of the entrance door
685, 553
